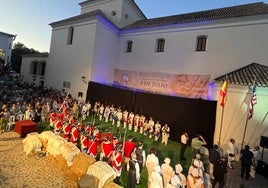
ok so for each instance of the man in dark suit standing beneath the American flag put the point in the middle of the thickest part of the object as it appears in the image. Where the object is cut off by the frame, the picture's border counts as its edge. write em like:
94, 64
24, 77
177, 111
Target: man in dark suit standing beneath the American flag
246, 161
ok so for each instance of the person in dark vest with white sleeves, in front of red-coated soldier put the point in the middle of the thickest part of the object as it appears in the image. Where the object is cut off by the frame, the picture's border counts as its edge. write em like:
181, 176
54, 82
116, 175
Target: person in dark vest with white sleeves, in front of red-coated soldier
133, 169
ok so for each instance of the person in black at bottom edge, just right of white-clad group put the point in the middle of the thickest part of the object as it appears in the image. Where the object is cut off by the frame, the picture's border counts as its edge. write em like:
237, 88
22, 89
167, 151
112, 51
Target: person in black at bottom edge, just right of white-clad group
220, 169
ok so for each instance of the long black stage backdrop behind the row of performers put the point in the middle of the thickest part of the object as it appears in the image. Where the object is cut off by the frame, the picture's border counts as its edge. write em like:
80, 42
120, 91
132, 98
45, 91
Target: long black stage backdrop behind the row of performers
182, 114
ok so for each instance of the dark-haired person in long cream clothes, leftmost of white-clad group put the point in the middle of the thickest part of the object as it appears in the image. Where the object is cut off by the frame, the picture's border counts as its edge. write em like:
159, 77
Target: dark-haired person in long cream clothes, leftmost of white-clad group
151, 161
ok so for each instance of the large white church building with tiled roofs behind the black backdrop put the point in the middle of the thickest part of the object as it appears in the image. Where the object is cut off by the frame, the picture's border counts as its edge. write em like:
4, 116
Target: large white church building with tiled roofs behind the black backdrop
113, 41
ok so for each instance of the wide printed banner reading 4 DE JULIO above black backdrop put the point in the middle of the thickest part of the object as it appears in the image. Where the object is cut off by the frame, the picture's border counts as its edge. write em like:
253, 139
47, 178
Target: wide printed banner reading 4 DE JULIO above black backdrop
182, 85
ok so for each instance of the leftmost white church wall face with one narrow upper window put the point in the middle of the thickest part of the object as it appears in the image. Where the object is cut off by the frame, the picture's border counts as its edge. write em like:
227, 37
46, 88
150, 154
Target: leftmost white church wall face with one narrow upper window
71, 62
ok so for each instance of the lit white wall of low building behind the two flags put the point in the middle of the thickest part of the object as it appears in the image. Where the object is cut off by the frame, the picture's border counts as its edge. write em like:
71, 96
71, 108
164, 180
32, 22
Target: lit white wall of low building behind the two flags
234, 117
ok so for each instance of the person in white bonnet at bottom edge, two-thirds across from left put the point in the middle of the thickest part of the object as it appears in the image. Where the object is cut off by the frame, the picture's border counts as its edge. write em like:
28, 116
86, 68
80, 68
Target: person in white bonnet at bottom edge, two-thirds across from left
179, 179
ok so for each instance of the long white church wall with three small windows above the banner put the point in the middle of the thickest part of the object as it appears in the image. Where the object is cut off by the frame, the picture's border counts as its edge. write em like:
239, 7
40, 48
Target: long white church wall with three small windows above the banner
229, 47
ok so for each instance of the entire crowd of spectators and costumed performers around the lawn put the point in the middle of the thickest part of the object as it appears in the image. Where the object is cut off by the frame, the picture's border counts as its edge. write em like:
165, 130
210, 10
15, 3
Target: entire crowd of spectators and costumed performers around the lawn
65, 115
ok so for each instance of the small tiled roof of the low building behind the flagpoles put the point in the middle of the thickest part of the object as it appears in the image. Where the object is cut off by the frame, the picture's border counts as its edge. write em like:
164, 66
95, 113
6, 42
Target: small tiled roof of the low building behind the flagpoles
245, 75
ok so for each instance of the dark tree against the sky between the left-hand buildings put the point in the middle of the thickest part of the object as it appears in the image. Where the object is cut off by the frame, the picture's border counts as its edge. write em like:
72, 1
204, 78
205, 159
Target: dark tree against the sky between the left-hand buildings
17, 51
